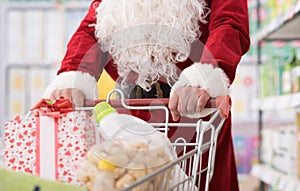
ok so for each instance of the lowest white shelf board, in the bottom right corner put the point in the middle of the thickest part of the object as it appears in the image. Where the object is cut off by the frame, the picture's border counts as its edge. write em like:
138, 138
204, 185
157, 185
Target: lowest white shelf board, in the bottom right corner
274, 178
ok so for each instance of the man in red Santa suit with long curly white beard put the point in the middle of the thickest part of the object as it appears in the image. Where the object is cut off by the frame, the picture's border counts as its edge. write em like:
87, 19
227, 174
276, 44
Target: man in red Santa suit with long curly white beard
193, 46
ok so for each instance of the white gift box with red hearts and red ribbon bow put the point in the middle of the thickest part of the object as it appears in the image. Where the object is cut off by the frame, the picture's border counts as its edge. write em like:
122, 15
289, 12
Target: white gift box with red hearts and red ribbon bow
50, 143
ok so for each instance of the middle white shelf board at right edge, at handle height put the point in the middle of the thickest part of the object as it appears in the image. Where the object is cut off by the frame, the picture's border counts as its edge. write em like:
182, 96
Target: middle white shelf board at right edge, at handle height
273, 103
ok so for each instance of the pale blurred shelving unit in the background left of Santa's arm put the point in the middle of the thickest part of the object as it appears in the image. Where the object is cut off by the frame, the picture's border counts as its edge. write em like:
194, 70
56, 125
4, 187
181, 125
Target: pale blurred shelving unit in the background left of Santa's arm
39, 62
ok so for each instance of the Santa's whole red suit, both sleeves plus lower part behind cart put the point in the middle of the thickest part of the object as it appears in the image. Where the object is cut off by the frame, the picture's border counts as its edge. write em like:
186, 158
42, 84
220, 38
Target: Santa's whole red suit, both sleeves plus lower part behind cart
226, 37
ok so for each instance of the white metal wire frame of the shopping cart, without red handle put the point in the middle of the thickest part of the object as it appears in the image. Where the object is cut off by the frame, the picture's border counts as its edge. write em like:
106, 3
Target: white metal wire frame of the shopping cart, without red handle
186, 169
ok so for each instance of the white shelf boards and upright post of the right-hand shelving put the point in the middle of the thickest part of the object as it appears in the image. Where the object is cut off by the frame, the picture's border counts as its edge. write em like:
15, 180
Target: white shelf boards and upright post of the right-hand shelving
284, 27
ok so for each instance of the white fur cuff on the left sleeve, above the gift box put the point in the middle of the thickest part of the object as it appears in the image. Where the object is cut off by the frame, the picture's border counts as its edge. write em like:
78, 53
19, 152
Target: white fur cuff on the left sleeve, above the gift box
74, 79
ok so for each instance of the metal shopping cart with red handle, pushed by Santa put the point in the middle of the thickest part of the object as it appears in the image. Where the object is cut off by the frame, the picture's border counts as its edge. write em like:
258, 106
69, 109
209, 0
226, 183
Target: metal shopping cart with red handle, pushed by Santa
183, 173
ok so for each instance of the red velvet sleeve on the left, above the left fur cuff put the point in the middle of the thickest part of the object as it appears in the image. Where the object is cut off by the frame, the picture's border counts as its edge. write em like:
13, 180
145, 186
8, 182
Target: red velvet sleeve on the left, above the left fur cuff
83, 53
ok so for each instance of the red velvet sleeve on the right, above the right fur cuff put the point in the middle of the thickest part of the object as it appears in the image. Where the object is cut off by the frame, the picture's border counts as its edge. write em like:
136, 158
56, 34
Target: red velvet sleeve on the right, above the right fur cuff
228, 34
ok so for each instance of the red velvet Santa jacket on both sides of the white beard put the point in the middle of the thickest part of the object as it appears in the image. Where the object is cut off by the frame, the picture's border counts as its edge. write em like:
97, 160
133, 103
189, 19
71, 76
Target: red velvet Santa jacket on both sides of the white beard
226, 36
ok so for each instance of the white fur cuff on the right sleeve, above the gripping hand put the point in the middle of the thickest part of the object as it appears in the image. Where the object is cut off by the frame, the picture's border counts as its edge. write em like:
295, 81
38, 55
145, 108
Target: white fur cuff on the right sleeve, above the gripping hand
204, 76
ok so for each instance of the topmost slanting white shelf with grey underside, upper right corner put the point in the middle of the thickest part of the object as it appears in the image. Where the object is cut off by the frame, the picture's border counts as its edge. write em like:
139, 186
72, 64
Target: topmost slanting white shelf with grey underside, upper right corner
284, 27
